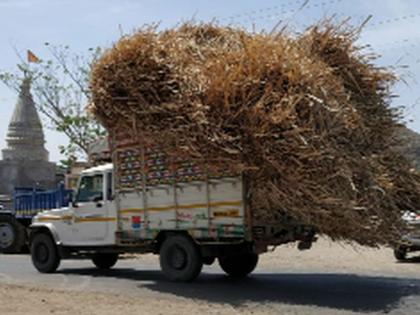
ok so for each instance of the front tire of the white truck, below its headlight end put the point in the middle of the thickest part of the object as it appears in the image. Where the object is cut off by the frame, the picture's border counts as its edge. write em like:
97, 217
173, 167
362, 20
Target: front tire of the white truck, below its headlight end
44, 253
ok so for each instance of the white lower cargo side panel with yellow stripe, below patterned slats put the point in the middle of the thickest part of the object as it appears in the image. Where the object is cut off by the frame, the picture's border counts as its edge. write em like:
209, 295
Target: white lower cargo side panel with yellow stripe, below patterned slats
207, 210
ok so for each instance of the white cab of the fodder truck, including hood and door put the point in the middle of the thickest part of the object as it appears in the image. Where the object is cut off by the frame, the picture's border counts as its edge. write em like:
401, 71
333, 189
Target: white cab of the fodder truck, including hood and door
90, 219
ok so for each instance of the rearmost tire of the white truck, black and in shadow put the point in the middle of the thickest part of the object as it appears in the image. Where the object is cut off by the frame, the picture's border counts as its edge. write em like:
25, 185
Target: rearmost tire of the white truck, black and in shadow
239, 266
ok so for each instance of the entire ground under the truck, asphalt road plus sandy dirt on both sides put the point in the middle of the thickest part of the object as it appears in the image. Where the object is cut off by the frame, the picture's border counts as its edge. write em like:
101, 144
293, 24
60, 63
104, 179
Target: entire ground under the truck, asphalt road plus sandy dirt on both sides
331, 278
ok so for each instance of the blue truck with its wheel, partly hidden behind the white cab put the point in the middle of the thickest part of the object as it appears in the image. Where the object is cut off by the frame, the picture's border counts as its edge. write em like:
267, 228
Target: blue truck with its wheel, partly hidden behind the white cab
26, 203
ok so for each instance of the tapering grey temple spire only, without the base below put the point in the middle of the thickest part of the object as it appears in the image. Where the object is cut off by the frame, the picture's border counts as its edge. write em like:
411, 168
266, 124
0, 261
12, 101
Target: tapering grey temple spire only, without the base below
25, 137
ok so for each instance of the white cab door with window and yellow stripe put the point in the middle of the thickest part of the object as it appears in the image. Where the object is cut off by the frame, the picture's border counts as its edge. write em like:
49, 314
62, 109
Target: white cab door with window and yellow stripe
91, 217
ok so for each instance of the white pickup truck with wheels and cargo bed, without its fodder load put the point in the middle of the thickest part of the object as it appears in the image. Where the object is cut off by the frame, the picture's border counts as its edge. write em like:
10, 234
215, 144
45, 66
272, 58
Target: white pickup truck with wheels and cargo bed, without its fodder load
147, 202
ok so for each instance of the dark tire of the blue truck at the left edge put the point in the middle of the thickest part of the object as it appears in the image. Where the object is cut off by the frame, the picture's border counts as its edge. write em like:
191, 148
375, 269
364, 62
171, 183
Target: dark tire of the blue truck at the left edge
12, 235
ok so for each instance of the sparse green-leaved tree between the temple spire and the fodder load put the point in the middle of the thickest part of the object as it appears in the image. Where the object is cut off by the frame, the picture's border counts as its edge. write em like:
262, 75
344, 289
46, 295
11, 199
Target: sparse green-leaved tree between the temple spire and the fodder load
60, 90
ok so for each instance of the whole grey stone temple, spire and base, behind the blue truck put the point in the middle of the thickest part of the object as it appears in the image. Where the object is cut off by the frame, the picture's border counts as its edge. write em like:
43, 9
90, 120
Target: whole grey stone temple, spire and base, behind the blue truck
25, 160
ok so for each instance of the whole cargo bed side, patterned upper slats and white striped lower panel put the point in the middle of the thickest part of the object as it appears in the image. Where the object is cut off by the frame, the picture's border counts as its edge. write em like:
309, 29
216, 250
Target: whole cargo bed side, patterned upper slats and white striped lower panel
160, 192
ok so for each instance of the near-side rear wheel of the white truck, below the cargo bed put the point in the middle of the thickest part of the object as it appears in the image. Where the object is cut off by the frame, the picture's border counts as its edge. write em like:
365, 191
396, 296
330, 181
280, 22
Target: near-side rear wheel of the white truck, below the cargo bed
180, 259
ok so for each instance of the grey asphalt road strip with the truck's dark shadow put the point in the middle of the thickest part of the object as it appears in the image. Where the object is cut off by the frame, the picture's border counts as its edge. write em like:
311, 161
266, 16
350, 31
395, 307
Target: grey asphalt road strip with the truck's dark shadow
329, 291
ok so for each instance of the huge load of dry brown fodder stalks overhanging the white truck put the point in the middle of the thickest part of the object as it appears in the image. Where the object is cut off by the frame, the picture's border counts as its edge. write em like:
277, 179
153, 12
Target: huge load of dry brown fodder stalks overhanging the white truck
307, 118
